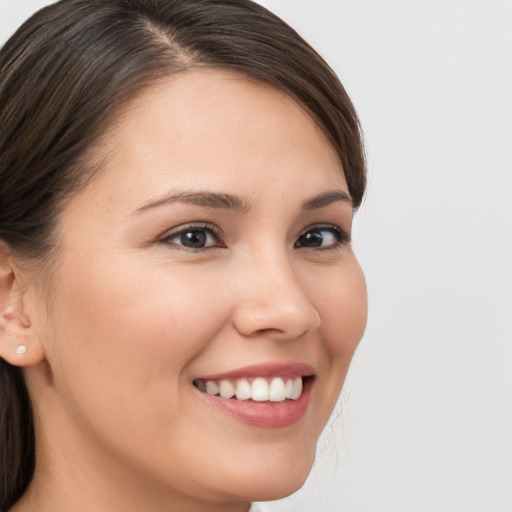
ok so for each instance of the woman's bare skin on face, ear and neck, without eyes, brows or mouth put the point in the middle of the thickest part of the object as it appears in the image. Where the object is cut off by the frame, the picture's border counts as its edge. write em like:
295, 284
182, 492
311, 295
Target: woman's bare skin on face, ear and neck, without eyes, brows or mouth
135, 316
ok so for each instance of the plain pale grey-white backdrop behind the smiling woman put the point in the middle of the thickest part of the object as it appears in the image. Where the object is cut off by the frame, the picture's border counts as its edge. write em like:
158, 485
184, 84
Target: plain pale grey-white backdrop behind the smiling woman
425, 420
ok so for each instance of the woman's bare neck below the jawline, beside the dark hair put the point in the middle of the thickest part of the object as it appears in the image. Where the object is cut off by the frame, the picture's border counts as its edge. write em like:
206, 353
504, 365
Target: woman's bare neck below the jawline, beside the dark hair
83, 480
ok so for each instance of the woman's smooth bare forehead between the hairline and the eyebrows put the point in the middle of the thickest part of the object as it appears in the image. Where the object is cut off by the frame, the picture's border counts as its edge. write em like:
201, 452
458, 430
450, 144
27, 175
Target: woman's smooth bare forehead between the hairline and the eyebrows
214, 127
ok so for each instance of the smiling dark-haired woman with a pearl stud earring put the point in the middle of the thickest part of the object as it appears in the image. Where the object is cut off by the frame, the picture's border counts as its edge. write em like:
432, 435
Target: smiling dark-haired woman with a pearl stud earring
180, 301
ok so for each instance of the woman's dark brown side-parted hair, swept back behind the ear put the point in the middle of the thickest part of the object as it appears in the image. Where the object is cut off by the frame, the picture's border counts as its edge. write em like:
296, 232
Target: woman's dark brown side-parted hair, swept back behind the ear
63, 76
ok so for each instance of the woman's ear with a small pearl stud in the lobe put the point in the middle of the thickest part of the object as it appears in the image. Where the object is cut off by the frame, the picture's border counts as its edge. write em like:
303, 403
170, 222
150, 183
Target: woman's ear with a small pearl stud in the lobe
19, 343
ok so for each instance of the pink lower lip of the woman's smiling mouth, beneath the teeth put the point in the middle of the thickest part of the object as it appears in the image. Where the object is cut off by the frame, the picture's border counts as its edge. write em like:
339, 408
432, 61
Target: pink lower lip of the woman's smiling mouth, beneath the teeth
264, 414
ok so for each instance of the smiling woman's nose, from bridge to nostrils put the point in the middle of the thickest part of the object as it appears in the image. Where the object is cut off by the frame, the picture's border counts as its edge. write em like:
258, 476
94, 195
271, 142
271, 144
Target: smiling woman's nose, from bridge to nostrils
273, 301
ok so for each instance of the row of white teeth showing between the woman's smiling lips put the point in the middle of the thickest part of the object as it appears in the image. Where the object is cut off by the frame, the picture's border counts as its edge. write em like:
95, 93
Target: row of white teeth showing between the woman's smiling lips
255, 389
